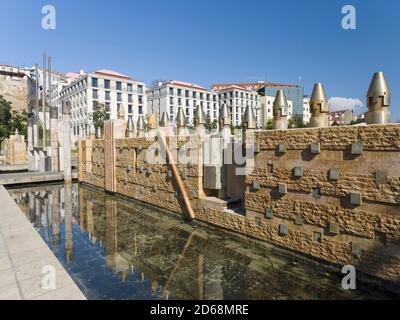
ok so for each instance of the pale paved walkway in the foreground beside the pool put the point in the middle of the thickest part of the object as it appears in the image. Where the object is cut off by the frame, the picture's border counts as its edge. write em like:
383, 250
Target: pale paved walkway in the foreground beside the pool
23, 255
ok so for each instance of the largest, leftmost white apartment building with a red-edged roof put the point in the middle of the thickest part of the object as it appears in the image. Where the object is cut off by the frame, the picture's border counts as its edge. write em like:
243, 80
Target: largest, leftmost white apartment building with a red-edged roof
107, 87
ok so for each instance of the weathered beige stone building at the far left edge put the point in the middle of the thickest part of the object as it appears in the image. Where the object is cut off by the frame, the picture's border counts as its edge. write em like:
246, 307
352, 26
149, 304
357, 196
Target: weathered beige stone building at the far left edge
17, 87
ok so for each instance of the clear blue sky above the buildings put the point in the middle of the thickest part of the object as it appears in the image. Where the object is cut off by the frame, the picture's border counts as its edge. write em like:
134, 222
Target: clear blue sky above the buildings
214, 41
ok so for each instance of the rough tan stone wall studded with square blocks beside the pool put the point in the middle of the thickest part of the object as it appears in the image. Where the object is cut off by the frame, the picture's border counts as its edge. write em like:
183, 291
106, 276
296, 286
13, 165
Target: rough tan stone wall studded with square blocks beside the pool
292, 199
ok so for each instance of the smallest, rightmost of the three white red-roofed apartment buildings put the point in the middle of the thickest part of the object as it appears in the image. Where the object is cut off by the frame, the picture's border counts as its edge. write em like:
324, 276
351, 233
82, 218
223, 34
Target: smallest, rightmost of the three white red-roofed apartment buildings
237, 99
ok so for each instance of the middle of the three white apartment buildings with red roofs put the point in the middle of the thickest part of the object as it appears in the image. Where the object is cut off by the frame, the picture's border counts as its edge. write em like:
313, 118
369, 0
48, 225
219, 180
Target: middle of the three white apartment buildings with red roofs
170, 95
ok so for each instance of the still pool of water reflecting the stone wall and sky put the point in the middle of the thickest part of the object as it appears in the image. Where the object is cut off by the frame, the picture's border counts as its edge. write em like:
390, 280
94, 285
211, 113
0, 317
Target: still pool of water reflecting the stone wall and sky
116, 248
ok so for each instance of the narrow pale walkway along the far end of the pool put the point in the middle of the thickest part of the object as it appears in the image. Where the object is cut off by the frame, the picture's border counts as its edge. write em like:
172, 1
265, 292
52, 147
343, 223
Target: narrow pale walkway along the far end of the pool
29, 177
